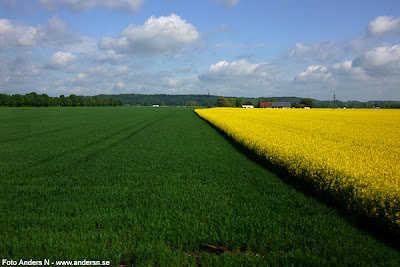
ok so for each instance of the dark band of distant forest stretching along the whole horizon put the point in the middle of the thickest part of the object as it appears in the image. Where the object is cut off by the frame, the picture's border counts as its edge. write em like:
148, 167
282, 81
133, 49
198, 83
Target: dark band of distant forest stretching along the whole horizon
43, 100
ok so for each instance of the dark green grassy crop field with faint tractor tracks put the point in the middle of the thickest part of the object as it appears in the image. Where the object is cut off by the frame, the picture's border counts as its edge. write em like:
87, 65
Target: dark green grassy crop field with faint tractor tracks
146, 186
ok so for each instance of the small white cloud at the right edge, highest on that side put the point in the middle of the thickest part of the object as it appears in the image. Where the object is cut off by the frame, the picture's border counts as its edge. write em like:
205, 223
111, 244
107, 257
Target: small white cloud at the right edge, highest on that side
383, 25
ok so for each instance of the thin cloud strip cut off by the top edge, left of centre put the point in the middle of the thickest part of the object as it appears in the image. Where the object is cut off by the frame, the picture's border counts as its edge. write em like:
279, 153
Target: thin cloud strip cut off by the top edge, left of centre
81, 5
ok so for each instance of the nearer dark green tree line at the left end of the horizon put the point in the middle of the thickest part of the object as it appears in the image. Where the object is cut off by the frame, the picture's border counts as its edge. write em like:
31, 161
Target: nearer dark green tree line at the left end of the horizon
43, 100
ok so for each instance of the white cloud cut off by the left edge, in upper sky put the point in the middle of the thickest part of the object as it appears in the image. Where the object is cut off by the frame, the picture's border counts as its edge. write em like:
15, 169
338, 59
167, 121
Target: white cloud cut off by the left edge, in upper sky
13, 34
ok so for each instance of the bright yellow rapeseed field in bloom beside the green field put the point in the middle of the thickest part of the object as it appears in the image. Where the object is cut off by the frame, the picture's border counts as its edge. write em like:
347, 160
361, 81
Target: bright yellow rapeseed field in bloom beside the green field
354, 154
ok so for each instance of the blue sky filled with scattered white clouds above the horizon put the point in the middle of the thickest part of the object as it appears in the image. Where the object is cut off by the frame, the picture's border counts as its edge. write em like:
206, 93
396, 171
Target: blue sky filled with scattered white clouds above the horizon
247, 48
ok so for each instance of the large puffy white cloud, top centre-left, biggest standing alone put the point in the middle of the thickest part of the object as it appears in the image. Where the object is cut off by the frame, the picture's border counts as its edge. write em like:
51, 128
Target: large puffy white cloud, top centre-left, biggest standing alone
158, 36
